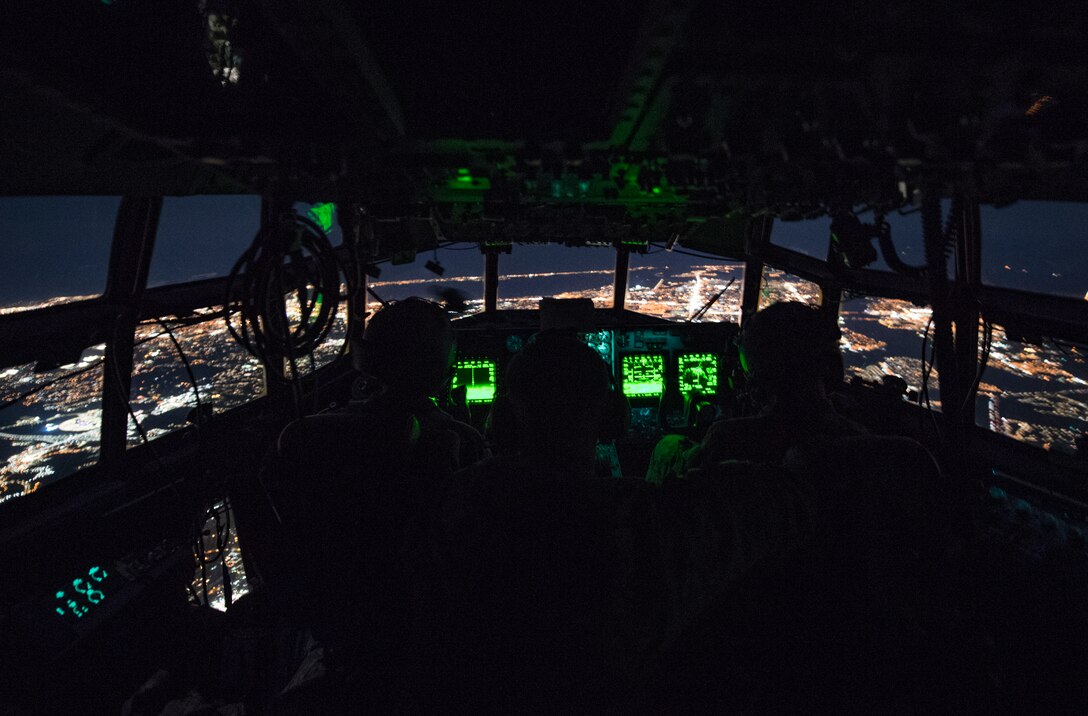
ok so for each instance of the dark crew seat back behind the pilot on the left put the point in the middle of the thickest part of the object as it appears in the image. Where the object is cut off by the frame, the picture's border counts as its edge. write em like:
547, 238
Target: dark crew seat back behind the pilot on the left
344, 487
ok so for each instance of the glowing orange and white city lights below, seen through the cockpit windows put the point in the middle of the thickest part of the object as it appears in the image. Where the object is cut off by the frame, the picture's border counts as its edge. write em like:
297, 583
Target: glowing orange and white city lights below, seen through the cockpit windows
1038, 394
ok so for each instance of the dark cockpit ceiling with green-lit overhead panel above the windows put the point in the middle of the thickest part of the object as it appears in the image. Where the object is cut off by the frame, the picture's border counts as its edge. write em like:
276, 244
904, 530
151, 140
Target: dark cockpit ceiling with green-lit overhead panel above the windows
701, 108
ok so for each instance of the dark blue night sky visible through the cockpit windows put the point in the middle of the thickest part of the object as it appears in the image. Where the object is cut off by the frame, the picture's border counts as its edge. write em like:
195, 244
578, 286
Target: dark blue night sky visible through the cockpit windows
60, 246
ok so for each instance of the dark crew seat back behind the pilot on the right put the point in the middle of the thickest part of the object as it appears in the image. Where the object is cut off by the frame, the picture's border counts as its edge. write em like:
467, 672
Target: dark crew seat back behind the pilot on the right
880, 602
